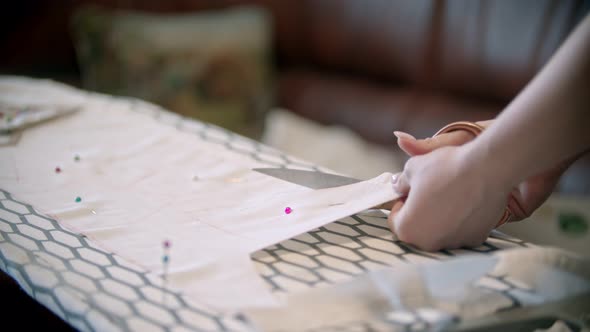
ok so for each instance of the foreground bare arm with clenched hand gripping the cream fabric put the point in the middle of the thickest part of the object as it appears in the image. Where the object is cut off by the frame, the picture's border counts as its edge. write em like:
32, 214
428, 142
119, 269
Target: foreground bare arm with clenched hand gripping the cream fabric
456, 194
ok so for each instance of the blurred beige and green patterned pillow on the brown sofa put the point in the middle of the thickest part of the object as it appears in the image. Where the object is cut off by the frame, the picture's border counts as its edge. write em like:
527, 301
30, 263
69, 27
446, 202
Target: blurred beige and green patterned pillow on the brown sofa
211, 65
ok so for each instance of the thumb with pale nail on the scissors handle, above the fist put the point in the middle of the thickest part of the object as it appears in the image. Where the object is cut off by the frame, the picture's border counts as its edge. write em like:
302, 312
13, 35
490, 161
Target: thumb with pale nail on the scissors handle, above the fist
414, 147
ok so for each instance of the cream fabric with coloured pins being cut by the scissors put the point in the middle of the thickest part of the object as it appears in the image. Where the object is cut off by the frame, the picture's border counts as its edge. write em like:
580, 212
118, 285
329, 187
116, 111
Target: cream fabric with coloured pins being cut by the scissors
142, 181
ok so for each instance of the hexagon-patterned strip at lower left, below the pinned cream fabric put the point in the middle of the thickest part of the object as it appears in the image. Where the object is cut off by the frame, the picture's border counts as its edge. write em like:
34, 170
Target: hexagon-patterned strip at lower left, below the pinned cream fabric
88, 287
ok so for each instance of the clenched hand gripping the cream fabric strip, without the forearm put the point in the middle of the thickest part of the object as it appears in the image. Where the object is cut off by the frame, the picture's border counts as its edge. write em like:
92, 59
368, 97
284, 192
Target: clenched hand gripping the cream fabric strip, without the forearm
449, 203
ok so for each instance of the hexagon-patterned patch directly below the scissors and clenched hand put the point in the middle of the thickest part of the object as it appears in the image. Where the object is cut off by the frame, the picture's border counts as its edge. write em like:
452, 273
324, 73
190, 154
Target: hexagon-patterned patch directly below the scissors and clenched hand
347, 248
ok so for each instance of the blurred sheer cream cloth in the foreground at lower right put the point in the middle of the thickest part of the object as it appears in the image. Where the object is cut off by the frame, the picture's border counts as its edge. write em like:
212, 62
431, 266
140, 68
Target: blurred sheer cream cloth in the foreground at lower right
435, 296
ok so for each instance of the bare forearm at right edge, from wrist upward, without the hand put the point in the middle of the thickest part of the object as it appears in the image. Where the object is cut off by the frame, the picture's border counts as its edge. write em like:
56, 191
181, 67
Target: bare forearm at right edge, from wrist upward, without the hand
547, 123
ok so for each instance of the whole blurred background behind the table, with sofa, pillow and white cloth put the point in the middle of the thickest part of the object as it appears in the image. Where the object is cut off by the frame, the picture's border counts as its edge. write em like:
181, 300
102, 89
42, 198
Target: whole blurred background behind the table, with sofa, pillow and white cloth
325, 80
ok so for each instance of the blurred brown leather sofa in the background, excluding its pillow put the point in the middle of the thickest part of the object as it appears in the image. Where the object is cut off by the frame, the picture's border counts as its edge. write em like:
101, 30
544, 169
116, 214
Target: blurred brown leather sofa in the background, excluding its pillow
374, 66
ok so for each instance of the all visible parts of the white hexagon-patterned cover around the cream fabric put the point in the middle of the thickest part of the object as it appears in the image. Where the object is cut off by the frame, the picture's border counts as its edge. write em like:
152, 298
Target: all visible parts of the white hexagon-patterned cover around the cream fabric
97, 290
